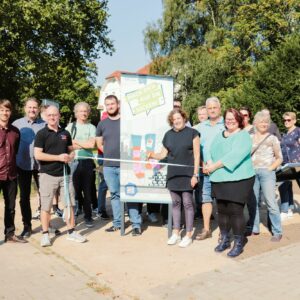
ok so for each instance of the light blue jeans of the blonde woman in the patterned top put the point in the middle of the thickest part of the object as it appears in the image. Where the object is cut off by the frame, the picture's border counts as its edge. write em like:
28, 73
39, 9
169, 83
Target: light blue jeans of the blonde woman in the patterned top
265, 180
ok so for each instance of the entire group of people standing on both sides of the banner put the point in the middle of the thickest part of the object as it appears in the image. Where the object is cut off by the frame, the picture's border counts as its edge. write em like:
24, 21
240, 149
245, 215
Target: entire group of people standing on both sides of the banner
227, 159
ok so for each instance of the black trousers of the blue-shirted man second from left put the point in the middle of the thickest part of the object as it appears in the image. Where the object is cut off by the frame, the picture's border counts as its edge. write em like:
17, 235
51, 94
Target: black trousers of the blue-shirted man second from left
24, 181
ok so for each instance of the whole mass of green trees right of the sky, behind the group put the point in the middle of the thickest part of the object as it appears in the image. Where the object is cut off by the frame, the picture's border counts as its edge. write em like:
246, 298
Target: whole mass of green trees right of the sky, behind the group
216, 47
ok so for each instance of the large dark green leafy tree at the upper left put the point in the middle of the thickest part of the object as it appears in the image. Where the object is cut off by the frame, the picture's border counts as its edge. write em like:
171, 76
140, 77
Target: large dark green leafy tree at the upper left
47, 49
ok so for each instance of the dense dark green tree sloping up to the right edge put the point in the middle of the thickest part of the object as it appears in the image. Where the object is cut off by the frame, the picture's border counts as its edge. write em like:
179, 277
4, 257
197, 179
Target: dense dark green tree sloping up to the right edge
275, 82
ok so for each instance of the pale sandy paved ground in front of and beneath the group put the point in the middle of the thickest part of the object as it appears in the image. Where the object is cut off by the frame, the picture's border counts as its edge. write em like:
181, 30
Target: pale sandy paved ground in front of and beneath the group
112, 267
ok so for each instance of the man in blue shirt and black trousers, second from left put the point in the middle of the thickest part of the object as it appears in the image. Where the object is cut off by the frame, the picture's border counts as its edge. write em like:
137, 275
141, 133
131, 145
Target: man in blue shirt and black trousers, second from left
27, 166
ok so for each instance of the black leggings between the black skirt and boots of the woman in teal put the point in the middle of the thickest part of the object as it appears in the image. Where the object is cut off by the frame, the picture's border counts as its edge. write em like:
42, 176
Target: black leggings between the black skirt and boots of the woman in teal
231, 216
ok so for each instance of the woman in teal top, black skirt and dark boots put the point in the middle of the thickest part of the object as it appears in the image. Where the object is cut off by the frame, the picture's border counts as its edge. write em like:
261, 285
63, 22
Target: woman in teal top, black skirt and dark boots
232, 176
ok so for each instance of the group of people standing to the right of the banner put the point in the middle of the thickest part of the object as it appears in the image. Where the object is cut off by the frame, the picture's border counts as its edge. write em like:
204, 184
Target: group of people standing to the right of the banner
238, 161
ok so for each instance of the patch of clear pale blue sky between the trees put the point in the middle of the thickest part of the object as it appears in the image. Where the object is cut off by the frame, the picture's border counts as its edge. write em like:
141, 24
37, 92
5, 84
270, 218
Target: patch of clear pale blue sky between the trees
127, 21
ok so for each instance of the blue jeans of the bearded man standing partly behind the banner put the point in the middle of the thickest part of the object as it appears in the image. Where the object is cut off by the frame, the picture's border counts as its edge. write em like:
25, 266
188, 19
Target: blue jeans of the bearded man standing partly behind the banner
112, 178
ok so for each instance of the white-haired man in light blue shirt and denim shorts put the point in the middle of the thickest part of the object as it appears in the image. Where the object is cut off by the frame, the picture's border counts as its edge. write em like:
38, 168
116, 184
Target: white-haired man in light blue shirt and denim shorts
208, 131
